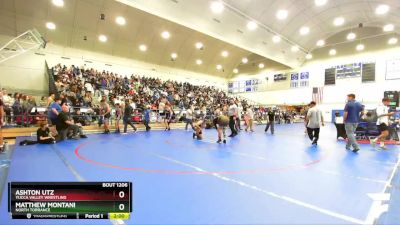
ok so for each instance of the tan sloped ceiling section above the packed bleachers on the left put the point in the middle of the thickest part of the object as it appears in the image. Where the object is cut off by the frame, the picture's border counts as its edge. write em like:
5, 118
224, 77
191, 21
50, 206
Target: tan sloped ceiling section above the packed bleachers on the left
79, 18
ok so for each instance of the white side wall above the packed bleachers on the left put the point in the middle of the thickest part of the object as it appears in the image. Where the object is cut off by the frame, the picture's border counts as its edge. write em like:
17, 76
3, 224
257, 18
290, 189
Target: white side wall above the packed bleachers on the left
26, 72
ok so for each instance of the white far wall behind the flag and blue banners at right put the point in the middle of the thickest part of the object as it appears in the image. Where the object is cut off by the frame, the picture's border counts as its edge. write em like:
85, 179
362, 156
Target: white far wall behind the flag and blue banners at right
335, 95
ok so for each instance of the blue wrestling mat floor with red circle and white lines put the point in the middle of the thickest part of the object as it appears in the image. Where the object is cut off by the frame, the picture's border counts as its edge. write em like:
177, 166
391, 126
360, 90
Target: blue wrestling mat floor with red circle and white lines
256, 178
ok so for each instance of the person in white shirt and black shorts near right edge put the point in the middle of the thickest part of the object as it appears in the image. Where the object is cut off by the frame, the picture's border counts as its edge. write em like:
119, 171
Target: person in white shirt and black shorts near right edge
382, 111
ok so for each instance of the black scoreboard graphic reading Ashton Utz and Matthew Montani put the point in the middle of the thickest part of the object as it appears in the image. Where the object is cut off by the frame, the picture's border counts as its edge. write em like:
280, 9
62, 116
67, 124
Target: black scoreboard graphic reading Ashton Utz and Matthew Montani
70, 200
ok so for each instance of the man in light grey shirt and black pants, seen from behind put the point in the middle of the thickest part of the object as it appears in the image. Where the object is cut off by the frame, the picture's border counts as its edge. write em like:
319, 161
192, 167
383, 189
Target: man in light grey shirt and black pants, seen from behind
314, 119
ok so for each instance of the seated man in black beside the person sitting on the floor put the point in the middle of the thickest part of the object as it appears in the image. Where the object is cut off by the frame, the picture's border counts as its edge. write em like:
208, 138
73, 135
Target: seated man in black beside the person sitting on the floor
66, 125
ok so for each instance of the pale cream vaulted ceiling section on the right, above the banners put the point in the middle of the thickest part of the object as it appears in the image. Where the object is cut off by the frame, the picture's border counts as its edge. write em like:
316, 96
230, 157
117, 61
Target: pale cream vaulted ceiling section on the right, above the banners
230, 24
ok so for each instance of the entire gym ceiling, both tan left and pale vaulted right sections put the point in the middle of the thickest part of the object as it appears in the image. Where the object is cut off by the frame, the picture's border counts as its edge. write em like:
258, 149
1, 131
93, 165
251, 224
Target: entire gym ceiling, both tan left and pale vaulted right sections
191, 21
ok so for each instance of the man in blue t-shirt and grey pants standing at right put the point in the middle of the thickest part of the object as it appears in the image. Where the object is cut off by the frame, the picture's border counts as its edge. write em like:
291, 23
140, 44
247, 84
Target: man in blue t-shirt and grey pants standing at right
351, 118
